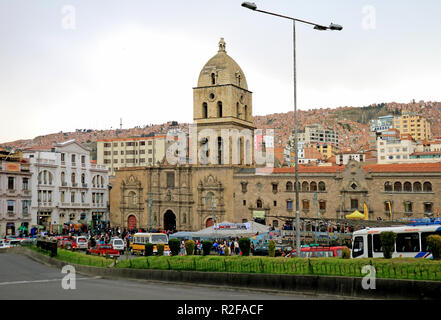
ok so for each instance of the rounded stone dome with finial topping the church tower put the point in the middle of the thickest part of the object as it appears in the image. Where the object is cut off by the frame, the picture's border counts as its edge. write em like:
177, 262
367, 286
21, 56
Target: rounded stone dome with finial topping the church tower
222, 70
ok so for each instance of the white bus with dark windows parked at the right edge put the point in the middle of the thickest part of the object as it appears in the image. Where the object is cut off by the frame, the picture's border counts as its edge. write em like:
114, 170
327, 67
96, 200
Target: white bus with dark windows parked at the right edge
411, 241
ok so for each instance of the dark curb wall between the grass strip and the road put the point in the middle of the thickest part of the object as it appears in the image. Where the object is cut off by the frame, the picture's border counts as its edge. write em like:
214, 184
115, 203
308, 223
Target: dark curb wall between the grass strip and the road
349, 287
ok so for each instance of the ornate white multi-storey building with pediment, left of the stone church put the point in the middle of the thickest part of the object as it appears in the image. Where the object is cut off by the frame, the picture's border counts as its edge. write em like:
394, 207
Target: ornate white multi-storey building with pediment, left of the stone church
66, 187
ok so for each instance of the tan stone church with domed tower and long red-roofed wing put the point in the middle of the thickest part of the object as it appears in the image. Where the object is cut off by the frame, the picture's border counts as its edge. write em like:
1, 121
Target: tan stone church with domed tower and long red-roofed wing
230, 186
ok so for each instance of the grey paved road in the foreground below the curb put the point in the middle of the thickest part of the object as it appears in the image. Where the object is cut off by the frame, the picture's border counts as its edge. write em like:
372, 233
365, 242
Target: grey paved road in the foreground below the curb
23, 278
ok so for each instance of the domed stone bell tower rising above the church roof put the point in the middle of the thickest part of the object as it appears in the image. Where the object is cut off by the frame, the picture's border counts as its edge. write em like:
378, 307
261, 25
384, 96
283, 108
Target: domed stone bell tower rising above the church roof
222, 112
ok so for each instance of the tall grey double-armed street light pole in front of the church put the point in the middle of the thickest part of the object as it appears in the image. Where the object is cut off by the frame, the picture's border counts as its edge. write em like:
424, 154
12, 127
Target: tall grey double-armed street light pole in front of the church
333, 27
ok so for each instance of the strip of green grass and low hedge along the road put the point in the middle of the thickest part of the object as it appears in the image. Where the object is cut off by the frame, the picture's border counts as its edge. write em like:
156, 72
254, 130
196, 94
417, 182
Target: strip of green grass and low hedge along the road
398, 268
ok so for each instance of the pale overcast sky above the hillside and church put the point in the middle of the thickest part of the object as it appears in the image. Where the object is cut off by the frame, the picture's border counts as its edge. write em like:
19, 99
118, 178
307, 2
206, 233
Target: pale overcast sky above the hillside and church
84, 64
